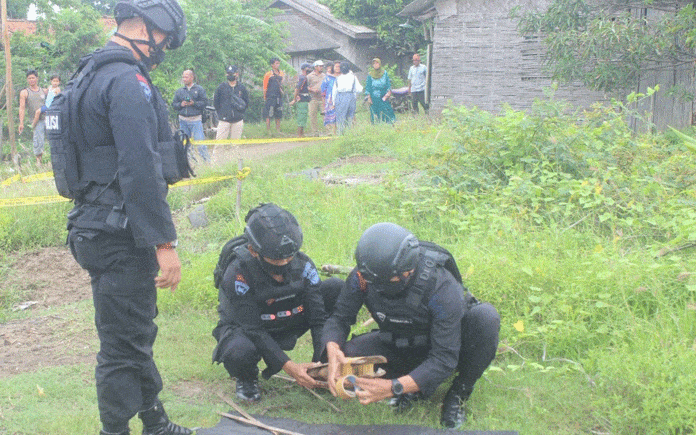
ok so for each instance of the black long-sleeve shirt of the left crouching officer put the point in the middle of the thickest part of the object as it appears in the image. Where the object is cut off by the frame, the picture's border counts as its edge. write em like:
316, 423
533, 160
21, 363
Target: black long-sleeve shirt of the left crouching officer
245, 294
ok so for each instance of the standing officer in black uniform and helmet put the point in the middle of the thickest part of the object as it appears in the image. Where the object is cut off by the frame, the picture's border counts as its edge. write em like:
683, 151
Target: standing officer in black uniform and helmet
121, 229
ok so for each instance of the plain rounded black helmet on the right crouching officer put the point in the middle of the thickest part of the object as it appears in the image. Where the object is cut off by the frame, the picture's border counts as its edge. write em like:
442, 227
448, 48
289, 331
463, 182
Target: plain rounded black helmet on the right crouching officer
386, 250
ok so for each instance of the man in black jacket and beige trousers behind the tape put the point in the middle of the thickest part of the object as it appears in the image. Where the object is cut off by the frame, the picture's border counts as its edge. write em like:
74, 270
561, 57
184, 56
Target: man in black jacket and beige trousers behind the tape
231, 100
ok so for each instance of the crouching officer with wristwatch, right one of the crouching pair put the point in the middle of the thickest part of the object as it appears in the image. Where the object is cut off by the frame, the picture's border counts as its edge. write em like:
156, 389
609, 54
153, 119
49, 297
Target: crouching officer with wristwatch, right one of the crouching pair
429, 326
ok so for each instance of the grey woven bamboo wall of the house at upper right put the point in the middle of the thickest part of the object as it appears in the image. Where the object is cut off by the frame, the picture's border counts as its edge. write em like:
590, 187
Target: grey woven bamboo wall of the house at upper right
479, 59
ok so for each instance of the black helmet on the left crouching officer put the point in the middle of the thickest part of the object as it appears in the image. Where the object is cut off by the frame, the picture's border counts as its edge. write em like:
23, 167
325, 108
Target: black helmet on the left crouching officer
273, 232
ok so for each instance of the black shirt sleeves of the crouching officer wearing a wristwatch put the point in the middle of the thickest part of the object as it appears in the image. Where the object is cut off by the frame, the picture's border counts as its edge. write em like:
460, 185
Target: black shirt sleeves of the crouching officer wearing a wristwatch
445, 306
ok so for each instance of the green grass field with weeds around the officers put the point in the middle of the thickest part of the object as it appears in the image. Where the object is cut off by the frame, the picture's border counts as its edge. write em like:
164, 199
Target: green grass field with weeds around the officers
578, 232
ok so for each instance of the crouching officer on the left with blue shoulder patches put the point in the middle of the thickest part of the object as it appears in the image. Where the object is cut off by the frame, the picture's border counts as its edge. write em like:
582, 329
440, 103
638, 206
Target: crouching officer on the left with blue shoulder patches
270, 295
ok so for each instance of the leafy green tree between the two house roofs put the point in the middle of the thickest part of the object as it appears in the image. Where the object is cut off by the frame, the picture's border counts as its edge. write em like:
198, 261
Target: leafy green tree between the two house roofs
380, 15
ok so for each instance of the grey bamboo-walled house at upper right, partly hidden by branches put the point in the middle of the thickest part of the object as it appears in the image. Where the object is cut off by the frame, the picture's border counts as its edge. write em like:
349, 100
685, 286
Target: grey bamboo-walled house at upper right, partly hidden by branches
476, 57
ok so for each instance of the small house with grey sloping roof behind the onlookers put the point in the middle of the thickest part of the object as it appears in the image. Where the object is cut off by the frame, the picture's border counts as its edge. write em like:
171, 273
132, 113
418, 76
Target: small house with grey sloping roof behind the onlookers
314, 33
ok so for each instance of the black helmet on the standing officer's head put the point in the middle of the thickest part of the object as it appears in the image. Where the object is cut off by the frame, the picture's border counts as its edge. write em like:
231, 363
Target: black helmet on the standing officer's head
165, 15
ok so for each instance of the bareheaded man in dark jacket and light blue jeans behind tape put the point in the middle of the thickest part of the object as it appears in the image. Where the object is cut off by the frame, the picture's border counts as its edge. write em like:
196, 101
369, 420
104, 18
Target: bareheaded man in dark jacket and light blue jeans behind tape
190, 101
